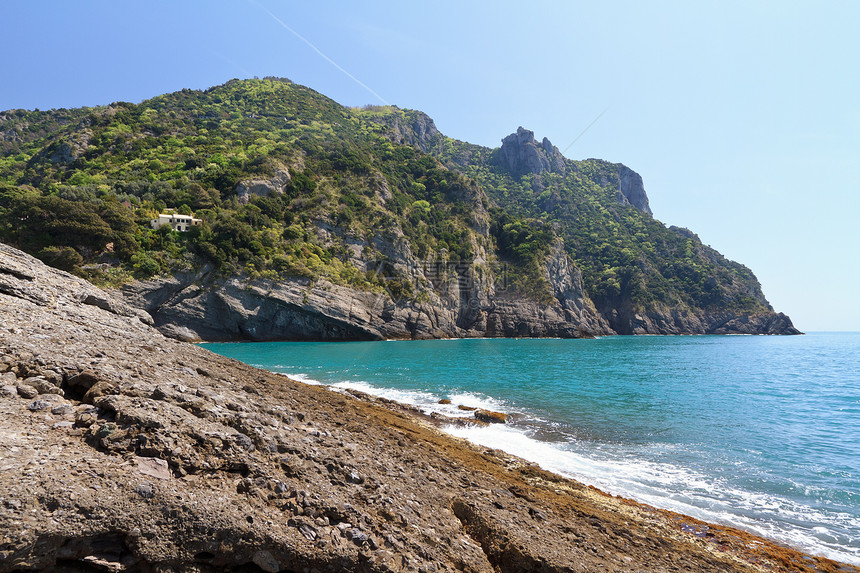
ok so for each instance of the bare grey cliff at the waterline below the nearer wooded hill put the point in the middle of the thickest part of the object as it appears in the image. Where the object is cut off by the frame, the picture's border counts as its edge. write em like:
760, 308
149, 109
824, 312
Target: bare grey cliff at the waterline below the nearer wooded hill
465, 301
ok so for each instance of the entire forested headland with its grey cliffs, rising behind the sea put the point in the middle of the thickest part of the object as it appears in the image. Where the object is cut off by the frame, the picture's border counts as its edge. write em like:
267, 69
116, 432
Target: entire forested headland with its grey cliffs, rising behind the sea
320, 221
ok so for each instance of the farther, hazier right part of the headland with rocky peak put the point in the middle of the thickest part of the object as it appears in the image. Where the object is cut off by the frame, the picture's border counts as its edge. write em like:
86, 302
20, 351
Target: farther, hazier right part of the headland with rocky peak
643, 277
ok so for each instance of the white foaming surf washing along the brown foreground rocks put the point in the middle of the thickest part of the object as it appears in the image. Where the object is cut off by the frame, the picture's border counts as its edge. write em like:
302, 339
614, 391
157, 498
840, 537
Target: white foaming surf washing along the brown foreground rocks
779, 522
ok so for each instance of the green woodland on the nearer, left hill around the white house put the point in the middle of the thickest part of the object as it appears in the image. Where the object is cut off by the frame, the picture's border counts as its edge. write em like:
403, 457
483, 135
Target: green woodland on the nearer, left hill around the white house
88, 182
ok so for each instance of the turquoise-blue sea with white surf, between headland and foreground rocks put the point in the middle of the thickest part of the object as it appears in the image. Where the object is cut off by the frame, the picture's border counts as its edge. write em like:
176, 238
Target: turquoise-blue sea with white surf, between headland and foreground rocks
758, 432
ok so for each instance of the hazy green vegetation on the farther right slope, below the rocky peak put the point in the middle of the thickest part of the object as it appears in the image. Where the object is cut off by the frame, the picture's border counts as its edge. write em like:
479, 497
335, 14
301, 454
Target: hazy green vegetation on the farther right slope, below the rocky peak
625, 255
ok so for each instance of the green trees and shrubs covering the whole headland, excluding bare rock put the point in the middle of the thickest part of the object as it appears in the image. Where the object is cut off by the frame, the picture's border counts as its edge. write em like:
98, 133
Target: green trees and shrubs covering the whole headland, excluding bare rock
78, 189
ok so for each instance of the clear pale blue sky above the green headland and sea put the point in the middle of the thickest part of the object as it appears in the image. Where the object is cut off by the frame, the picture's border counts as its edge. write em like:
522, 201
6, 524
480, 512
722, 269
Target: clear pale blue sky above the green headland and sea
743, 118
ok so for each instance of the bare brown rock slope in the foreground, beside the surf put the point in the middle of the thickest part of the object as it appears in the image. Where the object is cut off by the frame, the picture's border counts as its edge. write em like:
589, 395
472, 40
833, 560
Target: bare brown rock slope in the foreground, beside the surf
124, 450
